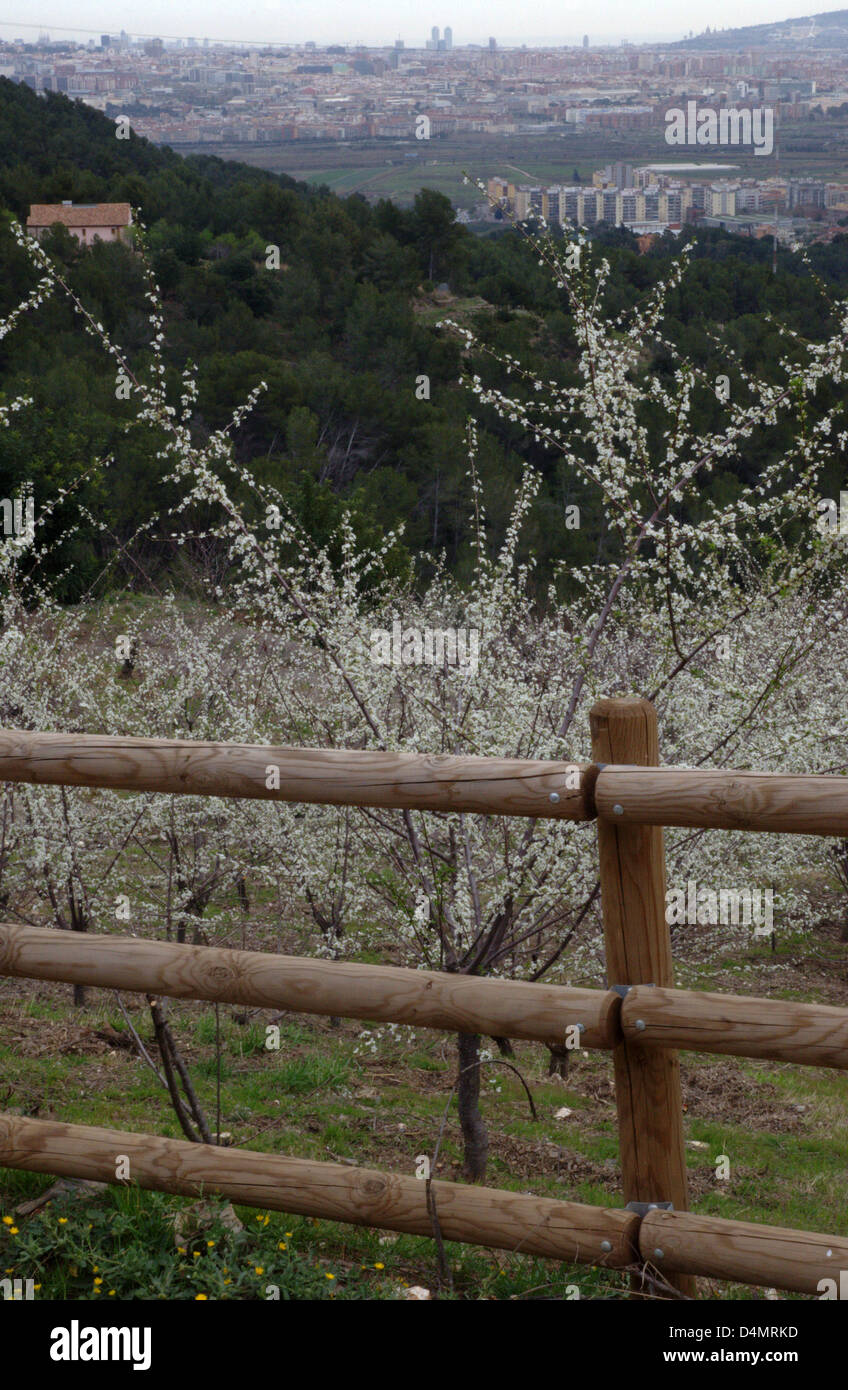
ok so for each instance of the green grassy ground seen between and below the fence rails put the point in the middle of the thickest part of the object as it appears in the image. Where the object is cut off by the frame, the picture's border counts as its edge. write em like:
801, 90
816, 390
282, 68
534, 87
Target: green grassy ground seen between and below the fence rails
326, 1095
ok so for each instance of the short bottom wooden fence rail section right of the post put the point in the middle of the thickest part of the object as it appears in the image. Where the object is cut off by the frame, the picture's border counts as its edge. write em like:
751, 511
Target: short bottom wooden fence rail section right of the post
739, 1250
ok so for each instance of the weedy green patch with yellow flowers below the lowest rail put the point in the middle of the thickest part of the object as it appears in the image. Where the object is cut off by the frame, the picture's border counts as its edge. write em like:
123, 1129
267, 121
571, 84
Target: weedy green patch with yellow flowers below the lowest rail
124, 1246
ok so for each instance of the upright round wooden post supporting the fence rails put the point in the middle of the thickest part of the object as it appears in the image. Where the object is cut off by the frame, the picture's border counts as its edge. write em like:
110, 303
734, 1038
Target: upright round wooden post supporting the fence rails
639, 951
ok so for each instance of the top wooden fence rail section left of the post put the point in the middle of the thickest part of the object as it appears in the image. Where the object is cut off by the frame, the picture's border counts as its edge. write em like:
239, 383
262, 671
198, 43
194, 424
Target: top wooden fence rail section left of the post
334, 778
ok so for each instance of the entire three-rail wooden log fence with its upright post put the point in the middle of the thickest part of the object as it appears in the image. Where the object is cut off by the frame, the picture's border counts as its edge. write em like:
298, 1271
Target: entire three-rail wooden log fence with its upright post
642, 1018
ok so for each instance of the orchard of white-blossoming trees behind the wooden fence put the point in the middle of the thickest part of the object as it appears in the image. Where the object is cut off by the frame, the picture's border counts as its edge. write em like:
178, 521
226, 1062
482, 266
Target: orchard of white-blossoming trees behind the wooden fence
731, 616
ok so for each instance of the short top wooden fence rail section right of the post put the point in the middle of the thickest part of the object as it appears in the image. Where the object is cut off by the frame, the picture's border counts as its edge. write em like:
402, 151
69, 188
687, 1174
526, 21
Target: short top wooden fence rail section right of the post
724, 800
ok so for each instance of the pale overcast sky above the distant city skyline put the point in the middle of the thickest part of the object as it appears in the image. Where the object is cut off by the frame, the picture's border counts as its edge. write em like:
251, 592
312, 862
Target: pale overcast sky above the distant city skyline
383, 22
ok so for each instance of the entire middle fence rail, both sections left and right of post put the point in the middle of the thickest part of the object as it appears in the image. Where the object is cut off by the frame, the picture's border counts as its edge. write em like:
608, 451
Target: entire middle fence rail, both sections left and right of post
782, 1031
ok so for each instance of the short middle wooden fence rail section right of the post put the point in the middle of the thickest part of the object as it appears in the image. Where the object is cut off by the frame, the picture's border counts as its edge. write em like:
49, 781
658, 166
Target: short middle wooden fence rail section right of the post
782, 1031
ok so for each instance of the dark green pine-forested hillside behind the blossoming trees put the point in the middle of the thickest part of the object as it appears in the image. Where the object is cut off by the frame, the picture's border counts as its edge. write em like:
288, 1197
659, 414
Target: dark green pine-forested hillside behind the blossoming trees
341, 333
